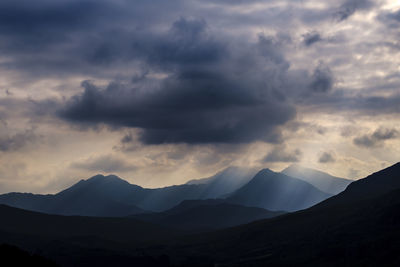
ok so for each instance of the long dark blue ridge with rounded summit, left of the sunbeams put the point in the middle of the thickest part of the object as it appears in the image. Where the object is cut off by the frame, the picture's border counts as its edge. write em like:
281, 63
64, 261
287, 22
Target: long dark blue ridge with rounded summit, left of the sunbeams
111, 196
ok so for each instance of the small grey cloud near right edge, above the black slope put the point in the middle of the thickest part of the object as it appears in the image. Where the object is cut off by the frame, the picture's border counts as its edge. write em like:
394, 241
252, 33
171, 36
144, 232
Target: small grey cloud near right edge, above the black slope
376, 138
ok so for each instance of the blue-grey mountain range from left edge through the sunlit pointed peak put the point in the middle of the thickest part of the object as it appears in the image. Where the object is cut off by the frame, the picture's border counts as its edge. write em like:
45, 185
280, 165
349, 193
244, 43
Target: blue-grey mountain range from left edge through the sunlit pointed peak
110, 196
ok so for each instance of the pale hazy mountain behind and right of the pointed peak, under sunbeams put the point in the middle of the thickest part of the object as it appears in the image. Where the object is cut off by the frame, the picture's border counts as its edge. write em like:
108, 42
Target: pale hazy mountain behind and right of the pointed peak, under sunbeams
321, 180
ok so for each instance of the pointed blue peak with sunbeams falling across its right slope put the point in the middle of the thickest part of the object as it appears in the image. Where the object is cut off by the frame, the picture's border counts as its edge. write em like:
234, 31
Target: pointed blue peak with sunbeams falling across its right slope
277, 191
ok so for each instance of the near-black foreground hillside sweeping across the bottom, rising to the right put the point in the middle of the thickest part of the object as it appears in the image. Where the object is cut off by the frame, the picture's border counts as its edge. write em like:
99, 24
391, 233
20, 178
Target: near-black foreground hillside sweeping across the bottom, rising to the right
357, 227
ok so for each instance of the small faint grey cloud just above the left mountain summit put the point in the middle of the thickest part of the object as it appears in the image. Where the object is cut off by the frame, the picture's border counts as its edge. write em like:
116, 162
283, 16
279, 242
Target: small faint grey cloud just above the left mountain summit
105, 163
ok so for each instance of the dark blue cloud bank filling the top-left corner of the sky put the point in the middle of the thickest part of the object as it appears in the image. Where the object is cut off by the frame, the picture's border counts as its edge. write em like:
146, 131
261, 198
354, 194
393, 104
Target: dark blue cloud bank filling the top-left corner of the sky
44, 38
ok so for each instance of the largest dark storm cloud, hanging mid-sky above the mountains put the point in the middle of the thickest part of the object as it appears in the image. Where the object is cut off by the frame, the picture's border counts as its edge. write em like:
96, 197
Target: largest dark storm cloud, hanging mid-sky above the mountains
213, 93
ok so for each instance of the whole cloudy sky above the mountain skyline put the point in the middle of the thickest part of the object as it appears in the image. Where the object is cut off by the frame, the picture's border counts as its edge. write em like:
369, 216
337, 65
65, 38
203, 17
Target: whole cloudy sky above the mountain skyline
160, 92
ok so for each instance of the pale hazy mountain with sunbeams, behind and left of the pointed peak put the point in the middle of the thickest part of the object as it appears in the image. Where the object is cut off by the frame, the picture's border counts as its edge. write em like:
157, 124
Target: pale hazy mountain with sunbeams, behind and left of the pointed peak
225, 182
